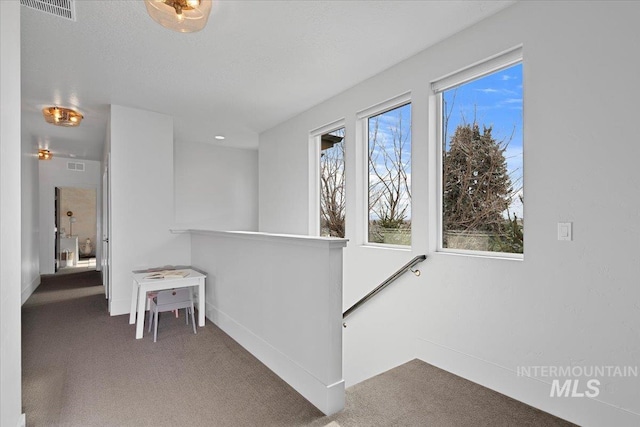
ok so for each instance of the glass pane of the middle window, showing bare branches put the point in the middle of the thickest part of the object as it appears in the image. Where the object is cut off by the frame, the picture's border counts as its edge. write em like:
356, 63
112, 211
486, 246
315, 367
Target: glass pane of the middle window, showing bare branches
390, 177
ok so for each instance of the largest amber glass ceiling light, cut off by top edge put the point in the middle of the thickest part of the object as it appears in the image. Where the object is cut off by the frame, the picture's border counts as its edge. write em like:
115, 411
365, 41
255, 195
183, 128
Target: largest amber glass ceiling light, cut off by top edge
185, 16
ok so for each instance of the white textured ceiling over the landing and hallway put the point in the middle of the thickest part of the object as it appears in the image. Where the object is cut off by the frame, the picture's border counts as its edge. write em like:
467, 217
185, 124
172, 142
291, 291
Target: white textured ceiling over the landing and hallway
256, 64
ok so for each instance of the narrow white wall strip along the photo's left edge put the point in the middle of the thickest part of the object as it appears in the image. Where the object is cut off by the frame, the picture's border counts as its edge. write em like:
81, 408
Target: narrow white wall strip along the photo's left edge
10, 221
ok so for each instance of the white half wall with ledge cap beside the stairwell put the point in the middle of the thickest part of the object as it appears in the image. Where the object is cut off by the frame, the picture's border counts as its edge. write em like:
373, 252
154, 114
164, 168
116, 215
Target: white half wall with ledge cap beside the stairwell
287, 314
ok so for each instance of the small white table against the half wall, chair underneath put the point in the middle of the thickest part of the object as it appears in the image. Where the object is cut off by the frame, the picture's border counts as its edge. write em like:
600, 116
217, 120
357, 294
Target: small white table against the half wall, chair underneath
142, 285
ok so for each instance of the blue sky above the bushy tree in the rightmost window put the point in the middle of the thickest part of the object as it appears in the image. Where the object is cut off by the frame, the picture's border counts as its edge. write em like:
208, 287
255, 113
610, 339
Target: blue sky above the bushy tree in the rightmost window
496, 101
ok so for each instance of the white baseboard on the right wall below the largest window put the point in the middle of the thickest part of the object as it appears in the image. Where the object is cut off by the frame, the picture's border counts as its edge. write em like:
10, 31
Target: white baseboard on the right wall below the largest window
583, 411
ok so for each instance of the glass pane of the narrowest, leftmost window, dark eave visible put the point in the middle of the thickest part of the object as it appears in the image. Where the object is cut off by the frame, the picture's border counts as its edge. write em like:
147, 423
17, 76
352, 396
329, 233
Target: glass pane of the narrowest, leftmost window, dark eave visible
332, 203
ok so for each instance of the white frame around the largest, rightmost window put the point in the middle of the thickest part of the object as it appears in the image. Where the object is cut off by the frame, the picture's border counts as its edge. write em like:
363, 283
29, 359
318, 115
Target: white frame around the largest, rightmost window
467, 74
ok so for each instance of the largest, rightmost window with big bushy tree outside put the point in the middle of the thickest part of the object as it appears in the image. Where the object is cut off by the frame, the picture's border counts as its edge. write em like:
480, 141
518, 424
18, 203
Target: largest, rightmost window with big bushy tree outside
482, 197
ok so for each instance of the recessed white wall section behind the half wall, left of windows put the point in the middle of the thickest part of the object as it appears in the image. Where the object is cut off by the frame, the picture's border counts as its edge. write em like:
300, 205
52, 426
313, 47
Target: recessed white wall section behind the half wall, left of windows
216, 186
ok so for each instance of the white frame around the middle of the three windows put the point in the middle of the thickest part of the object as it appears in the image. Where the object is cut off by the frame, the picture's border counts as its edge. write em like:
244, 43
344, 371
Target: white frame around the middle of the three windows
362, 119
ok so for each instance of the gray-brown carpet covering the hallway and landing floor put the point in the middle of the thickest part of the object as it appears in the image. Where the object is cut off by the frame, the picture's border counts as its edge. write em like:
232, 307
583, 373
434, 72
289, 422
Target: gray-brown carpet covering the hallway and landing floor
82, 367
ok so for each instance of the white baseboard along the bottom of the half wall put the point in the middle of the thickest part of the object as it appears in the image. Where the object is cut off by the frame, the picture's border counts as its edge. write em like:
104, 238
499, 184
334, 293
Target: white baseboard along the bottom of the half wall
329, 398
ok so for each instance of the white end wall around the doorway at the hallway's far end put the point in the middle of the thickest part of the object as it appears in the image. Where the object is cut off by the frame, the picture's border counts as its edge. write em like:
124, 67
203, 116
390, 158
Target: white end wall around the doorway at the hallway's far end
54, 173
